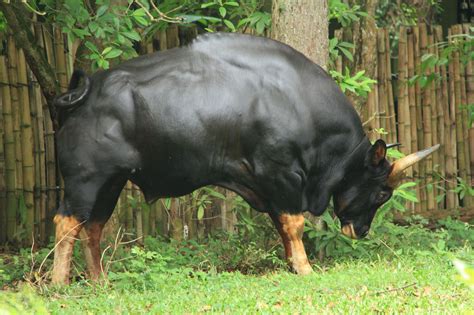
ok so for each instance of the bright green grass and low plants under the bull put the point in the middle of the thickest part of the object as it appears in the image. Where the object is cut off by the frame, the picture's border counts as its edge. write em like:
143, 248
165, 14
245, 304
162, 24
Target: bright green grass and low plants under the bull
171, 278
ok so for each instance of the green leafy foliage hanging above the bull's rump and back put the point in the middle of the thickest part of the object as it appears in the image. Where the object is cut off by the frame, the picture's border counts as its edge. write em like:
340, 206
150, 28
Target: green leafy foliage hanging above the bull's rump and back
111, 30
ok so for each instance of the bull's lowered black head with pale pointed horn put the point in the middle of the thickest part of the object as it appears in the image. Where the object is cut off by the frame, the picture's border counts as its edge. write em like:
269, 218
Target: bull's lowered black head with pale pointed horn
364, 190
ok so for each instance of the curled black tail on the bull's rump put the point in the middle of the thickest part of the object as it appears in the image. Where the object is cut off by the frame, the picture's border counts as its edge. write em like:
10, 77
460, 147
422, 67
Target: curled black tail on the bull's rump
76, 94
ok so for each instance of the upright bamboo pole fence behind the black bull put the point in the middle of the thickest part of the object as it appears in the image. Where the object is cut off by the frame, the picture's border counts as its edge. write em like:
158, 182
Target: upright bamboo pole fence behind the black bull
31, 186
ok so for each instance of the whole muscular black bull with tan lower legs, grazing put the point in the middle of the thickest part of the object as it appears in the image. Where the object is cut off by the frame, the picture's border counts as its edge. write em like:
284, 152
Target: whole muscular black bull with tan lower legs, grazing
245, 113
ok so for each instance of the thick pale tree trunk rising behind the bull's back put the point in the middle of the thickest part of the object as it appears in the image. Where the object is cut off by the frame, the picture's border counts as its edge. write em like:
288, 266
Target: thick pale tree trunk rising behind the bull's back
303, 24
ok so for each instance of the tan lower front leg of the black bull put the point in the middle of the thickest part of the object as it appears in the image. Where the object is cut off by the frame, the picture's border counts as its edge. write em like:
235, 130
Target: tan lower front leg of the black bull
290, 227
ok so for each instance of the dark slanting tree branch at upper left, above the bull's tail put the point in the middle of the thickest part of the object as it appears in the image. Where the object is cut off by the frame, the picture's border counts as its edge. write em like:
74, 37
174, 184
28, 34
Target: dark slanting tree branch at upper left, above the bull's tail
18, 22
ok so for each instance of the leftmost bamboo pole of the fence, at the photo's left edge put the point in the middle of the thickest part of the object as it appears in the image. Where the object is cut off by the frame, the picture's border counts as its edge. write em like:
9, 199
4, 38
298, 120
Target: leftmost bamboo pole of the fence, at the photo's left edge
8, 223
